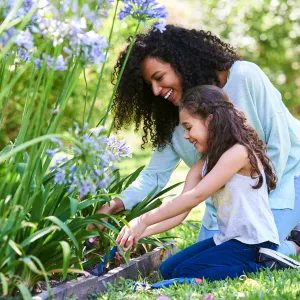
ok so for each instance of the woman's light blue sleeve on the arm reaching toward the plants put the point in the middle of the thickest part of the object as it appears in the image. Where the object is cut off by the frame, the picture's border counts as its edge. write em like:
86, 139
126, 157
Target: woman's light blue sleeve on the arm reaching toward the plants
158, 173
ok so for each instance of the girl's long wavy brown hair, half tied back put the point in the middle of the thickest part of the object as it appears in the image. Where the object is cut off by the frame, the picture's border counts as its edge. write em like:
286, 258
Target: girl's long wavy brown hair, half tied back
227, 127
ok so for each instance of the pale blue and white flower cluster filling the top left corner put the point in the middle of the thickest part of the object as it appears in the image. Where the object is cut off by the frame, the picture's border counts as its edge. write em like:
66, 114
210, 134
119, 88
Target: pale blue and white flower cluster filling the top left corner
67, 22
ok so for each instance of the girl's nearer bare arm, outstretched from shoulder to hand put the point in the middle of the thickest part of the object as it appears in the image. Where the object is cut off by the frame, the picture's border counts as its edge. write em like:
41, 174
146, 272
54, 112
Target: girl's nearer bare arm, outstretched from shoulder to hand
228, 165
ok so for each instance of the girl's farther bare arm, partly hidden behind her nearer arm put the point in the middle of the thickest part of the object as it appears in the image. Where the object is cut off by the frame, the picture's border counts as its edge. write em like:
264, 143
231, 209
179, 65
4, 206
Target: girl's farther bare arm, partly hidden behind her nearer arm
192, 179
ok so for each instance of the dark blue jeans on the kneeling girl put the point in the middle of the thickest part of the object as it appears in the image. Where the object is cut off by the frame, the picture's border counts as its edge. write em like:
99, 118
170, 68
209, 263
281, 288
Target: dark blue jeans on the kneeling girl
205, 259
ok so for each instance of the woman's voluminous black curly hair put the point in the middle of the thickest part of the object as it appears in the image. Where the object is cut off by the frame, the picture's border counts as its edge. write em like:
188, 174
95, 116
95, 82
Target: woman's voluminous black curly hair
195, 55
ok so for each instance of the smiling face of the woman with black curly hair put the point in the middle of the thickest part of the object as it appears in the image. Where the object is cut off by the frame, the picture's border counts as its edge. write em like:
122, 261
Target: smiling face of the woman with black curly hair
163, 79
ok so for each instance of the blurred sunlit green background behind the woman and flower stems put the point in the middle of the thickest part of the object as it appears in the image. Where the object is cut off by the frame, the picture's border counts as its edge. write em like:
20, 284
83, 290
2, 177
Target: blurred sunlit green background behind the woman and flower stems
264, 32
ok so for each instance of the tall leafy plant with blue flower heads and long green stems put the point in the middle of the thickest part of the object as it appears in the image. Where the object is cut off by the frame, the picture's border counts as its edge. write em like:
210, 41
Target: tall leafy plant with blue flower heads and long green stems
45, 207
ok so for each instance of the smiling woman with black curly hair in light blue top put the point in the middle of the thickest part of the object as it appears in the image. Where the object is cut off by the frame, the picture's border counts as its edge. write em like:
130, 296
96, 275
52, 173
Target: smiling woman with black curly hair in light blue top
160, 68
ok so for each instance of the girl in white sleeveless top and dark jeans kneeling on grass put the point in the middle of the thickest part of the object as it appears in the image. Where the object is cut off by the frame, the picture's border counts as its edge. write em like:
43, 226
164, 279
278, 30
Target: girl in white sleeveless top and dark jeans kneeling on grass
236, 173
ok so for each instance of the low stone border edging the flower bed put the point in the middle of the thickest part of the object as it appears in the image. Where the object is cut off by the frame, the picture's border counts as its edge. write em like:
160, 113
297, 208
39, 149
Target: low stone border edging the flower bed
83, 286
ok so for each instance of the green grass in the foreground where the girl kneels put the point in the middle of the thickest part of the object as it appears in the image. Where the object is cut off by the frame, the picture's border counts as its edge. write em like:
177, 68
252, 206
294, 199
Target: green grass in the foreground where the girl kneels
282, 284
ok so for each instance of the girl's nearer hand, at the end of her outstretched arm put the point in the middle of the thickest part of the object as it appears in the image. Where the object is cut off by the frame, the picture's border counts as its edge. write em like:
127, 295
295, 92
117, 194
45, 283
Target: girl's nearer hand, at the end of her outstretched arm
129, 237
